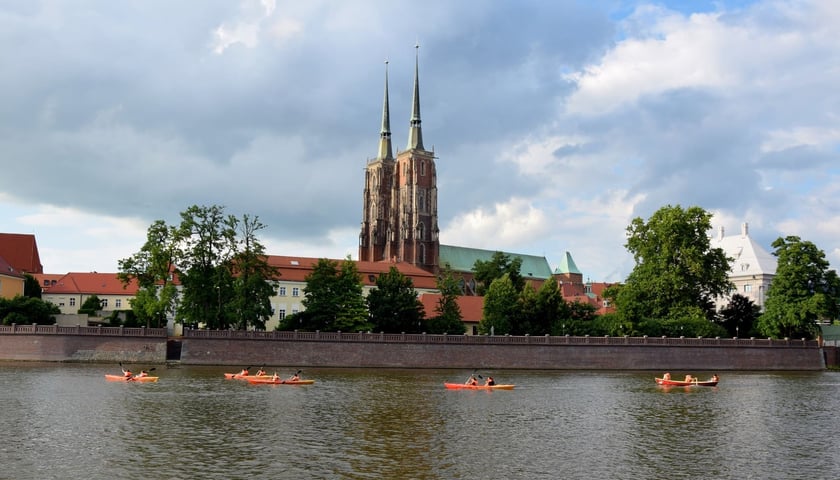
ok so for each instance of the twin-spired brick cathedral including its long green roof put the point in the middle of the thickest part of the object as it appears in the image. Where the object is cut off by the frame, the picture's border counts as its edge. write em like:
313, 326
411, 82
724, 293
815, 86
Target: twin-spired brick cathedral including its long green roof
400, 216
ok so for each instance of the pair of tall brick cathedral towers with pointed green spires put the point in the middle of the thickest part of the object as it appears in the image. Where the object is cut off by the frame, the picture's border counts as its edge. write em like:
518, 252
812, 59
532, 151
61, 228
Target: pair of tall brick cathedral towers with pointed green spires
399, 213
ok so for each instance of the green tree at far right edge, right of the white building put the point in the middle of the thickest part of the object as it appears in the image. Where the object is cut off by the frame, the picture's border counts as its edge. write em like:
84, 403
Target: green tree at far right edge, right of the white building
804, 290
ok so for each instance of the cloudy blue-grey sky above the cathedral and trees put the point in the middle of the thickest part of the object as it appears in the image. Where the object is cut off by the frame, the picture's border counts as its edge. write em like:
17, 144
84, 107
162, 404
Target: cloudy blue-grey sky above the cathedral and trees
555, 123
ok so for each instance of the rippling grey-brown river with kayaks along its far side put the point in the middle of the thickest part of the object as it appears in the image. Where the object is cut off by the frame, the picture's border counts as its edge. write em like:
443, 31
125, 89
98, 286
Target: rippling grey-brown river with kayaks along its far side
64, 421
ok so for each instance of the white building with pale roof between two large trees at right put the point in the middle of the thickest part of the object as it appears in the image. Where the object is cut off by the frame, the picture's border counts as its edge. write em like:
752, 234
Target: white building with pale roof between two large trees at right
753, 267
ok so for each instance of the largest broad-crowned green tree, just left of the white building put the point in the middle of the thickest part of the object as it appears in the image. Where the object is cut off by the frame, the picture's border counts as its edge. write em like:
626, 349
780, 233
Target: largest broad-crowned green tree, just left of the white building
676, 267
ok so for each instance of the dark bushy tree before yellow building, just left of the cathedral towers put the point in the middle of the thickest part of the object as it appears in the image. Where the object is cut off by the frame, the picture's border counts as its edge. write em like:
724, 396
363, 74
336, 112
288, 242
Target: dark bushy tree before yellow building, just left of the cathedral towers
333, 300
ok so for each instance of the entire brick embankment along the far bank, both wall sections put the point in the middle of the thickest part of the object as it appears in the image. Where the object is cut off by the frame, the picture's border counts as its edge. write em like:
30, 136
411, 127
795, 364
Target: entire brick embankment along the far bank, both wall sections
377, 350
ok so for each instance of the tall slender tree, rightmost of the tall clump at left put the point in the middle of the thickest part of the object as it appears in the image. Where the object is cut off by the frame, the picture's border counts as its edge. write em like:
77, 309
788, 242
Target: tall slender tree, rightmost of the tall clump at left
253, 278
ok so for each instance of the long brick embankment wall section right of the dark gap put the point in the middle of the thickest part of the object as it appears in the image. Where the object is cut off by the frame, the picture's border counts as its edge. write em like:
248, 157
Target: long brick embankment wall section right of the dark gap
217, 351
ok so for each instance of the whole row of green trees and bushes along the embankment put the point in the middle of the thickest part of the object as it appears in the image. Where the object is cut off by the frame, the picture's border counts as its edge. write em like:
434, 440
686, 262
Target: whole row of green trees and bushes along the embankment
227, 282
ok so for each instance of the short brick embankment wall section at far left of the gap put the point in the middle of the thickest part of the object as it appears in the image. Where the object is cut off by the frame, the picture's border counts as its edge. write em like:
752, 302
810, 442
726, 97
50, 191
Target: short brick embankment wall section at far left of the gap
81, 348
